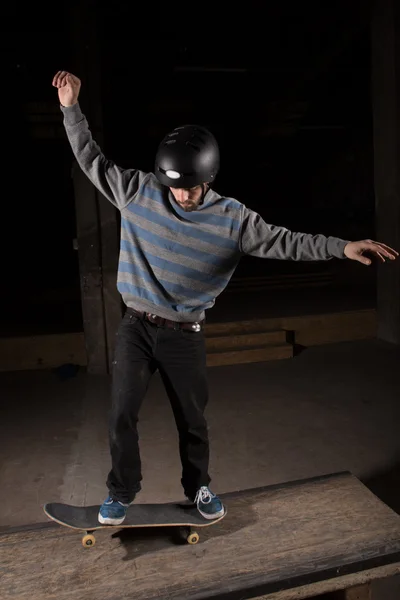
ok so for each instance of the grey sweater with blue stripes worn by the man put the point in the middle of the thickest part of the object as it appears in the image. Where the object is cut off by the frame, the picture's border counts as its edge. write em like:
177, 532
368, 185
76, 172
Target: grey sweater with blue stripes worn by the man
175, 263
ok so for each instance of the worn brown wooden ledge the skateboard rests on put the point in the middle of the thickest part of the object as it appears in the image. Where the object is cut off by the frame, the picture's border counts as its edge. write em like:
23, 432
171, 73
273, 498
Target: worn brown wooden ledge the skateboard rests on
273, 542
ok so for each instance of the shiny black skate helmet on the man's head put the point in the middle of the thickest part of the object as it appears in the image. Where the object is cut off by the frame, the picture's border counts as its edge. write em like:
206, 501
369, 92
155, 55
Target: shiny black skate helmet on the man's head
186, 157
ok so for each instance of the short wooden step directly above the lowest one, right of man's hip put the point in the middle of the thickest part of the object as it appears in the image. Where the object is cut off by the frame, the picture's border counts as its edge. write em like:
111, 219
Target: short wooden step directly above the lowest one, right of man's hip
245, 339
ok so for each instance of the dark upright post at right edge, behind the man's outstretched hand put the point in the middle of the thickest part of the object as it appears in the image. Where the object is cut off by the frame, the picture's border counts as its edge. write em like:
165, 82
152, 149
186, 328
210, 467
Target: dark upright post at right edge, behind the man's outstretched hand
385, 40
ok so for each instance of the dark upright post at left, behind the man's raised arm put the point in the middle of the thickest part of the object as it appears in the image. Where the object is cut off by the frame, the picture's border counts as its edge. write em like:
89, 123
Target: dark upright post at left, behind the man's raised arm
97, 219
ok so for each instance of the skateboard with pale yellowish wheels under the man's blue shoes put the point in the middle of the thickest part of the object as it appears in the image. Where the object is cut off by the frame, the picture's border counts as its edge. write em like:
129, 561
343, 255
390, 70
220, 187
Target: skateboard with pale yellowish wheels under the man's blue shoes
85, 518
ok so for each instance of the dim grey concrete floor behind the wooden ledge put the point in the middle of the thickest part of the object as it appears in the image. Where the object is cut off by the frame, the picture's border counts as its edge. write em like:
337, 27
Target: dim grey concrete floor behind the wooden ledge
329, 409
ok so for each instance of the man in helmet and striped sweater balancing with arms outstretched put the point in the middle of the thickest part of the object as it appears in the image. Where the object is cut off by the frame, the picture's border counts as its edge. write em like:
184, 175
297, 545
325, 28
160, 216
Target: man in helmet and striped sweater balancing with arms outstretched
180, 245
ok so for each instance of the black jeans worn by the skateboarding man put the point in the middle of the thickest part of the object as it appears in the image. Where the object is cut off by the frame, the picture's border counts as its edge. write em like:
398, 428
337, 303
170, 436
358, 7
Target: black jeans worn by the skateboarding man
180, 356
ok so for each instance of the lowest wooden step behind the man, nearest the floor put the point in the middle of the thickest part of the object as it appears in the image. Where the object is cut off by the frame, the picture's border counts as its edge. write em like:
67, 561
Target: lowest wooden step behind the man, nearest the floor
249, 355
